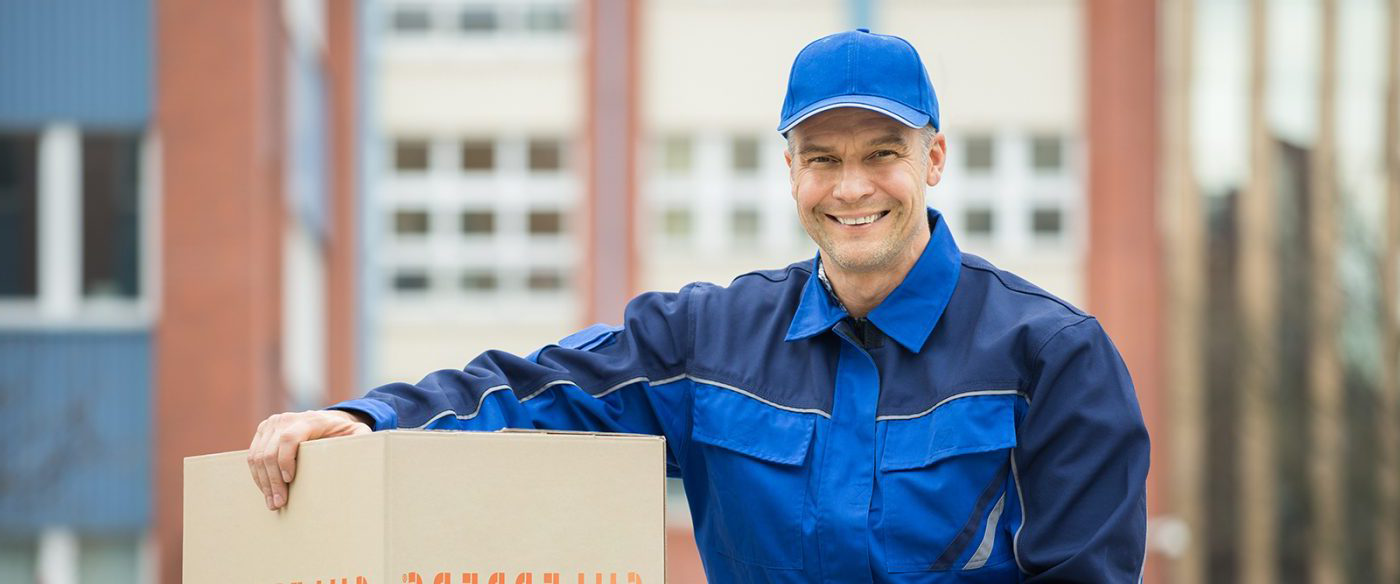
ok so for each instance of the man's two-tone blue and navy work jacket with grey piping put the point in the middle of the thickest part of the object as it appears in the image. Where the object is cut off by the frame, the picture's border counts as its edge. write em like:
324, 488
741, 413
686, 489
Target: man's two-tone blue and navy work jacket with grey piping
972, 429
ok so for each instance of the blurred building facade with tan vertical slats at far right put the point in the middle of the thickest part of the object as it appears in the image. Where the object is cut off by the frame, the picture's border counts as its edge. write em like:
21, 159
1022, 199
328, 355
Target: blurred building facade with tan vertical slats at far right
1280, 223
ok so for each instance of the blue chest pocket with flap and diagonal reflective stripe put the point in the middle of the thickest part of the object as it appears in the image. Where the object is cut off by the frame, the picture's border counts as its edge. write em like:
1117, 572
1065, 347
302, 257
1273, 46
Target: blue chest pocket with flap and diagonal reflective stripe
948, 494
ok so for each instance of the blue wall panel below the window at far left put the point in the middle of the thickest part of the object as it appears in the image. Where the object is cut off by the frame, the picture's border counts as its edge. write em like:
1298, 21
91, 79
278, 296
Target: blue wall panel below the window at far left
75, 431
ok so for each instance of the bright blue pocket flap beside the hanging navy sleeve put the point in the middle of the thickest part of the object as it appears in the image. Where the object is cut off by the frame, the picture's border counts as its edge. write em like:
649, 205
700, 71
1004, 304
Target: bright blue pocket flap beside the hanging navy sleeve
964, 425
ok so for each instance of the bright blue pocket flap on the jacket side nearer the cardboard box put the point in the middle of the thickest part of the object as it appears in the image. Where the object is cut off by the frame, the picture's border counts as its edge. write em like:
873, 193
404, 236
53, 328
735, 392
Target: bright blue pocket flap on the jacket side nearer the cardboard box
737, 422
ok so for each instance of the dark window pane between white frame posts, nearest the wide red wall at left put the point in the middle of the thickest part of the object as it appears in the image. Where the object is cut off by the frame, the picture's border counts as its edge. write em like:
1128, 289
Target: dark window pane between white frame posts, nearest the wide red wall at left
111, 215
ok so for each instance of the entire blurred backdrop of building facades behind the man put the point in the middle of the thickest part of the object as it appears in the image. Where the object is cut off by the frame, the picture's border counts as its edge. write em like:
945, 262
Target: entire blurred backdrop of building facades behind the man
218, 211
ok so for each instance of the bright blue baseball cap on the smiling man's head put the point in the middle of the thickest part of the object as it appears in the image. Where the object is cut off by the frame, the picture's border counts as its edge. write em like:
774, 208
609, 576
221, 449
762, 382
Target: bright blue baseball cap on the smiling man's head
860, 69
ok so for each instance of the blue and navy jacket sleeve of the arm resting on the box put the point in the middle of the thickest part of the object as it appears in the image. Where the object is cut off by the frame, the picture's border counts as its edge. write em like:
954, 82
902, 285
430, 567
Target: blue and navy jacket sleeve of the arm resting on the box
628, 379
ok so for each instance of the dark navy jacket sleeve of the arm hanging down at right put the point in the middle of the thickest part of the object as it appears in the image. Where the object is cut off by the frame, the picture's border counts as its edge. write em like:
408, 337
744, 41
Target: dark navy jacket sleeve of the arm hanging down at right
1081, 466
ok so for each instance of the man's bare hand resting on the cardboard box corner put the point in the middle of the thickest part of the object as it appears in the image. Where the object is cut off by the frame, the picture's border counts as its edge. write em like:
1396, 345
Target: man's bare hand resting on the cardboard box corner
272, 457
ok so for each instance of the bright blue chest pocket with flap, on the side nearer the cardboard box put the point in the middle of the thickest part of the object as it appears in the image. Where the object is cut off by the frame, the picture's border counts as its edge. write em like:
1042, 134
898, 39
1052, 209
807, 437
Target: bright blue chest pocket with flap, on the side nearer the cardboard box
757, 460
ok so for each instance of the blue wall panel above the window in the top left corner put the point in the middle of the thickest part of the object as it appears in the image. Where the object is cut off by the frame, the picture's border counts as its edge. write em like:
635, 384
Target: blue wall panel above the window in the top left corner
82, 61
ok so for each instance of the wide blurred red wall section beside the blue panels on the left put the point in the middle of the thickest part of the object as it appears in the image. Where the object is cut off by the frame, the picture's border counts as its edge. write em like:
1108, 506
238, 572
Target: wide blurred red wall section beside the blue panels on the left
218, 354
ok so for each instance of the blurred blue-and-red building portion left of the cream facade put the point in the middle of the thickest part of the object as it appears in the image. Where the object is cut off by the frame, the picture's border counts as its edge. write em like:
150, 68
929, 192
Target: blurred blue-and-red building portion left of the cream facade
177, 243
